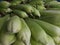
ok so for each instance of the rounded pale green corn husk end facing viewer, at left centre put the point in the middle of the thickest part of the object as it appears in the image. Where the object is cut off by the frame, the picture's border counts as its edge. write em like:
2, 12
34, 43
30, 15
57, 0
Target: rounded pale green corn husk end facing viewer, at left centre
14, 24
